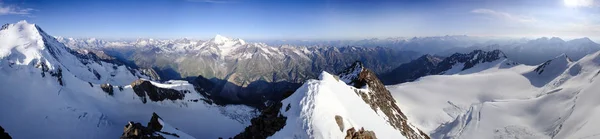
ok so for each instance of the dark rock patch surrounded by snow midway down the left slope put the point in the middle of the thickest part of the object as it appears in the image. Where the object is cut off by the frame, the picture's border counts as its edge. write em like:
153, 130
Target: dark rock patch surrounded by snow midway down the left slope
145, 89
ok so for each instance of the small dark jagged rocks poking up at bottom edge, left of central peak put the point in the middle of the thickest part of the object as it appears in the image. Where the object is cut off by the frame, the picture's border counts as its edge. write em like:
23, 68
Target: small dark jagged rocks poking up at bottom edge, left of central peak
135, 130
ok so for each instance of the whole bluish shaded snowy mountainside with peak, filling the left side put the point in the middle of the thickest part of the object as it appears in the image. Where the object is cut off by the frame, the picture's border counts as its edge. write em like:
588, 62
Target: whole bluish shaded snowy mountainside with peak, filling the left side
51, 91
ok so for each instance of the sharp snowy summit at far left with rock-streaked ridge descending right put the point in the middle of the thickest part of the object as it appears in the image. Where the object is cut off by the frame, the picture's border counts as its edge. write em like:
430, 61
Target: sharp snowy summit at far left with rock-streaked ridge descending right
25, 44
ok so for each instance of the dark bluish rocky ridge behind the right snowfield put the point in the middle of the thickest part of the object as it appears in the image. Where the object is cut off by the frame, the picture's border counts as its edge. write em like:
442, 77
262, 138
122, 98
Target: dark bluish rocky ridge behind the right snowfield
433, 65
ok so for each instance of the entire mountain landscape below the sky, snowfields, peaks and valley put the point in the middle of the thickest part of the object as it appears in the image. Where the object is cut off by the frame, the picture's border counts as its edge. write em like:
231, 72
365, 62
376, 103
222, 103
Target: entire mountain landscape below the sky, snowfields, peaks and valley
394, 88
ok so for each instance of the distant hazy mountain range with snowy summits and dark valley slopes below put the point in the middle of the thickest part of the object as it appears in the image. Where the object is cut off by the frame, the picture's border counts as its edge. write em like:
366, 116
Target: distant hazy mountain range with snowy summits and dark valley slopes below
234, 71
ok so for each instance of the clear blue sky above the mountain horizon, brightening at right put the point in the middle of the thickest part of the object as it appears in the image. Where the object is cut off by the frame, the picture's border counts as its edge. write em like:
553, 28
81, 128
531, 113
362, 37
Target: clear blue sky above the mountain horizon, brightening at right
306, 19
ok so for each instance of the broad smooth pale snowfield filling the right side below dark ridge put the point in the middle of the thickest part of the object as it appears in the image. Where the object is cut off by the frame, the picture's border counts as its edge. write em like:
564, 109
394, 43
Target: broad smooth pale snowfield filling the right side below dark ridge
556, 99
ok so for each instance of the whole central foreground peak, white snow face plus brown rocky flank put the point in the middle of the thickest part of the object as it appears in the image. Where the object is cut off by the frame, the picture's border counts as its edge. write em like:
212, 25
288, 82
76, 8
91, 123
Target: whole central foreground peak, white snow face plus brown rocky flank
330, 108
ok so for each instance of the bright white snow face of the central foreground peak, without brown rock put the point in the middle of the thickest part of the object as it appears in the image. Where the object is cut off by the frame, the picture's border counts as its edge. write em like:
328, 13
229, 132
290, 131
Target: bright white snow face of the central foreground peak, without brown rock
313, 108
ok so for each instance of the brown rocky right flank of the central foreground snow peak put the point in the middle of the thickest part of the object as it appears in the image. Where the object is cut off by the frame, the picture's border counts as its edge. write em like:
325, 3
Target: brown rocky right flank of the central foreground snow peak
379, 98
